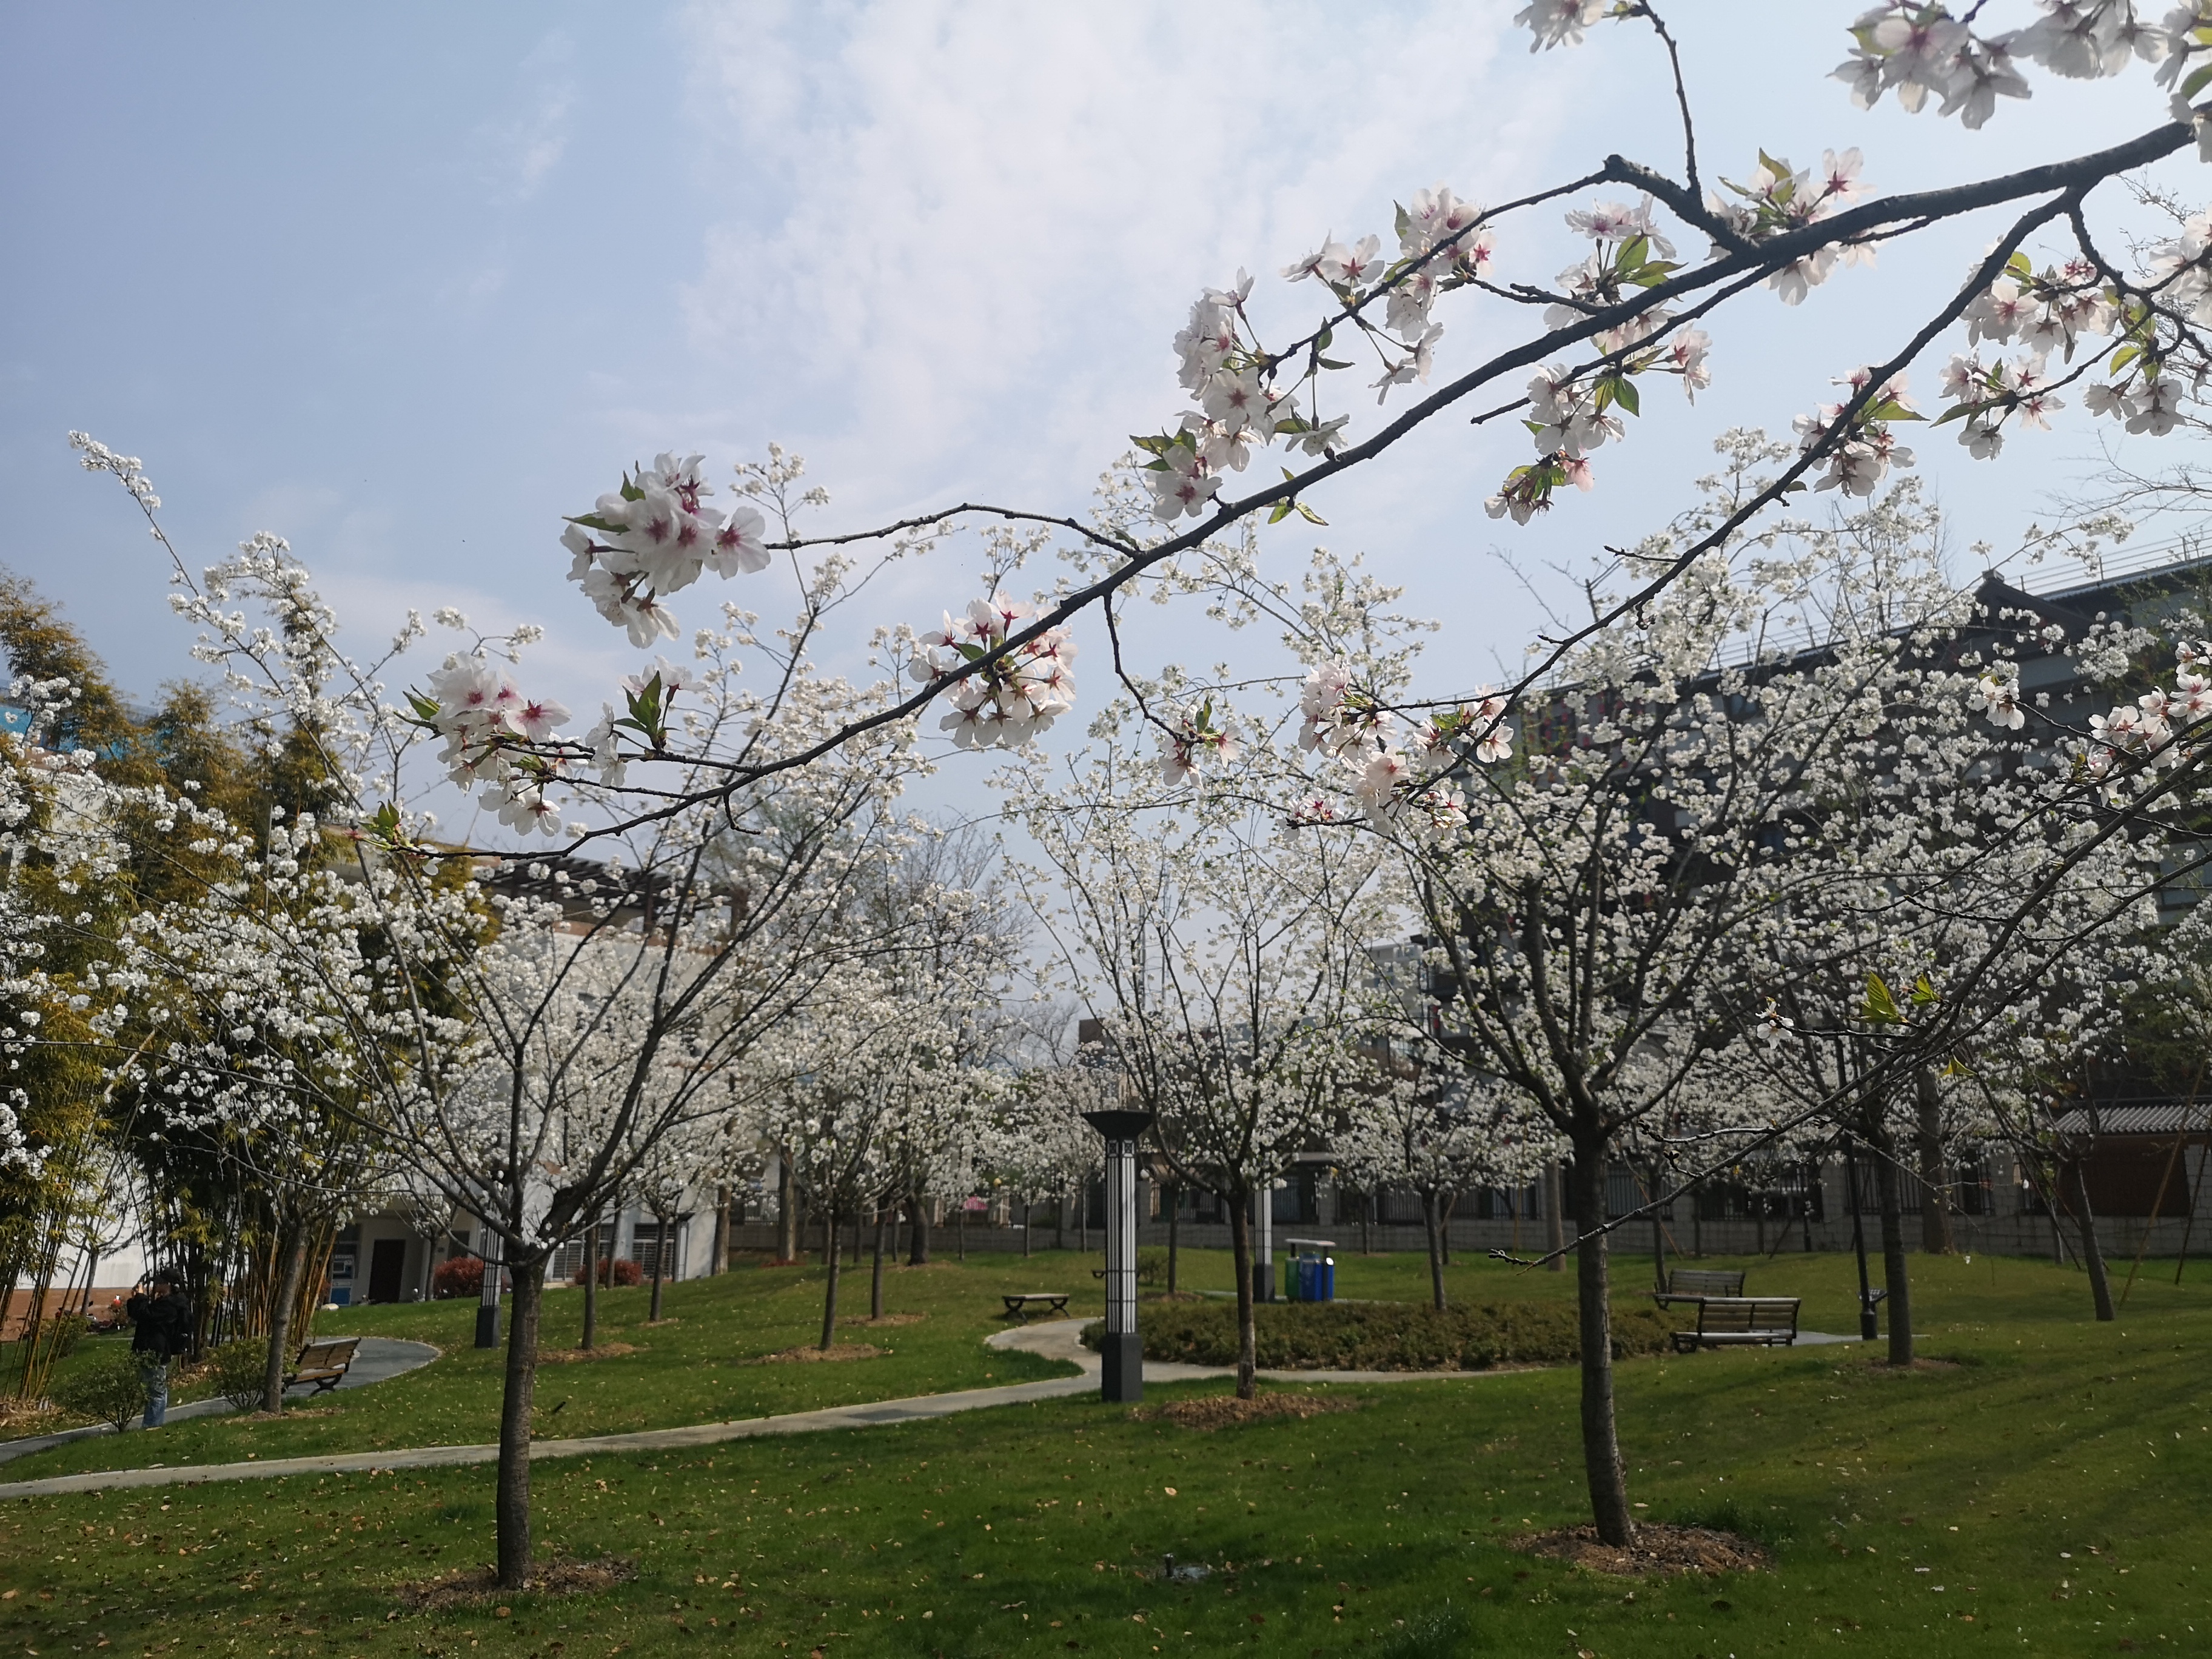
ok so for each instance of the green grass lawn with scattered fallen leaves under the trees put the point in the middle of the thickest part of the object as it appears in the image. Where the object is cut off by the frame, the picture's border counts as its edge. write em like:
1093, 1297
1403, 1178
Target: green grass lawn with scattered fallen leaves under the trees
2043, 1492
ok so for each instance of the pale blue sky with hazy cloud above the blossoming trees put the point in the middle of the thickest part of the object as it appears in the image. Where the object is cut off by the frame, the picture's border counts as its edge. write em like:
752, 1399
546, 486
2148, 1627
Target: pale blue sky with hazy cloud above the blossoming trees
408, 284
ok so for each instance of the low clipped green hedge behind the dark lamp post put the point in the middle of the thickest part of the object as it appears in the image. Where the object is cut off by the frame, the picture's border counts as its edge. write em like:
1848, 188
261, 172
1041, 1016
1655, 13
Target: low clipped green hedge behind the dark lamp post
1386, 1337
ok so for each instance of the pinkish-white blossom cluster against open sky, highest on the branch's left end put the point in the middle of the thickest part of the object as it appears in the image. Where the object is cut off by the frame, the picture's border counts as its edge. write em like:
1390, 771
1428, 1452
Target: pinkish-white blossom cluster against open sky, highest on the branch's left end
656, 536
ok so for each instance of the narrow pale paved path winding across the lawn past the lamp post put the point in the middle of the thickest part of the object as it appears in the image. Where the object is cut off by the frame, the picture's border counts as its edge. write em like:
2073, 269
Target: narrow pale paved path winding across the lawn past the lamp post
1050, 1339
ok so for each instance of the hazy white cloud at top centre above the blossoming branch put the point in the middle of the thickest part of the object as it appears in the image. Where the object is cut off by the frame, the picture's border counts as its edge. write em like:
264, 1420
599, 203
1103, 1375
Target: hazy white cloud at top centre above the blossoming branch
957, 238
